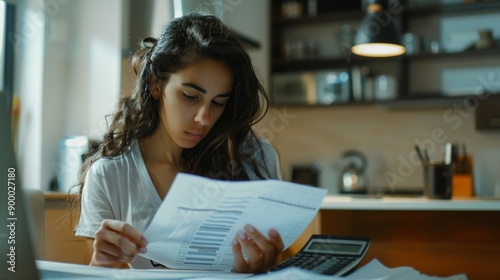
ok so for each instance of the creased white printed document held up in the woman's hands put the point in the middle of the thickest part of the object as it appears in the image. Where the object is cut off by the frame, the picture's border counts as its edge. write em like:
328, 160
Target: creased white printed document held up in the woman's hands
199, 218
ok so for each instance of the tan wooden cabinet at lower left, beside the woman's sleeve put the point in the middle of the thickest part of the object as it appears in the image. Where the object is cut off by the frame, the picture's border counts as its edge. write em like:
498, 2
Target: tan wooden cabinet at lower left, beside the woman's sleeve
61, 245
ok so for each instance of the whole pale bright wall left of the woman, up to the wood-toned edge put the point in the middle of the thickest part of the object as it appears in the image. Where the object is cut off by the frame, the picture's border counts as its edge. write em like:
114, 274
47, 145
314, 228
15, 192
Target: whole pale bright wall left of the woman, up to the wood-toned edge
68, 77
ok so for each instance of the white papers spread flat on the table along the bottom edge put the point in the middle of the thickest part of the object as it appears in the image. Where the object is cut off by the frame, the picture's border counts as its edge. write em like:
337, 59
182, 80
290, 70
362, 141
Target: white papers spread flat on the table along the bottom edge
374, 270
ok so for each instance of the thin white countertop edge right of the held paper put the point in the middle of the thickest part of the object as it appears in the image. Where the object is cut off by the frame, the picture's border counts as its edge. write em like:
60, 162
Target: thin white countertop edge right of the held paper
360, 202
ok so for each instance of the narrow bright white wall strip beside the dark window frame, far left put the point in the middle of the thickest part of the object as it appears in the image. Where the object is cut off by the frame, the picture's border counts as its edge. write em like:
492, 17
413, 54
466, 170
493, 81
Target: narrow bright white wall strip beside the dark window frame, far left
28, 86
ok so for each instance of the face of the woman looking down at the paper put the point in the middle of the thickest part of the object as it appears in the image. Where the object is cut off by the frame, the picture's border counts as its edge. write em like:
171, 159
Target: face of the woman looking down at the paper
193, 100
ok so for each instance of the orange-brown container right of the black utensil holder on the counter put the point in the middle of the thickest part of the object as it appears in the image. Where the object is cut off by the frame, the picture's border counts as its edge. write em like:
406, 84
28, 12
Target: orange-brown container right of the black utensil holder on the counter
463, 181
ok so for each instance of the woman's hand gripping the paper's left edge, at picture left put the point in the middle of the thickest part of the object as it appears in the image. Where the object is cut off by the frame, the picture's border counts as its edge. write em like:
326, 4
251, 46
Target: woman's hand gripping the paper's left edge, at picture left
116, 243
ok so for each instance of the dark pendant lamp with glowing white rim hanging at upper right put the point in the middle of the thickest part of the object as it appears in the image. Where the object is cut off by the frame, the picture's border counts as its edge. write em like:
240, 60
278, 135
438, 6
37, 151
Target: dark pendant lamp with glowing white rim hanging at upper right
378, 35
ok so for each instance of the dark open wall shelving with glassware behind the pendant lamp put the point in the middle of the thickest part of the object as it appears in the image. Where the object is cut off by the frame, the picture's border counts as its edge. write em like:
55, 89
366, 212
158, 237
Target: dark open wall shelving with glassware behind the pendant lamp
445, 68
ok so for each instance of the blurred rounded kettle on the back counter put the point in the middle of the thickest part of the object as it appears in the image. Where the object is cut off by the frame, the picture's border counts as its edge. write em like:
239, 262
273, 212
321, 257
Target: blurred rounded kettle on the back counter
352, 178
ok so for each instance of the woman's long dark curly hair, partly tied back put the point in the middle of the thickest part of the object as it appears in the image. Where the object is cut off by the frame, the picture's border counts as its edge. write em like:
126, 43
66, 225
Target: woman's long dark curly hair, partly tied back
184, 41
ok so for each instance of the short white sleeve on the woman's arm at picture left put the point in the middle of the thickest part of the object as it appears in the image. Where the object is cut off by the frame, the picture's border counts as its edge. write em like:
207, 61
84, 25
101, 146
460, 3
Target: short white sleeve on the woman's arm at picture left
95, 206
